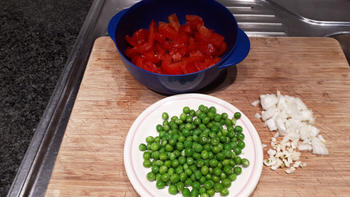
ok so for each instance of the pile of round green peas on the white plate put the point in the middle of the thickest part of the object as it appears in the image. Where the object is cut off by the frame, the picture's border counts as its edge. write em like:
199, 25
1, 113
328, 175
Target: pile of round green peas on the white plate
198, 150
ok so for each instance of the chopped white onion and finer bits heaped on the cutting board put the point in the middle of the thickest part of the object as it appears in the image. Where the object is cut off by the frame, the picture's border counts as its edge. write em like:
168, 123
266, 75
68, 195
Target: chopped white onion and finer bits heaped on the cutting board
292, 120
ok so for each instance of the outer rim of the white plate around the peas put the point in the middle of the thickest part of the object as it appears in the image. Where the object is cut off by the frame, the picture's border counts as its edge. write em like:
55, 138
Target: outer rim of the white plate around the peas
254, 177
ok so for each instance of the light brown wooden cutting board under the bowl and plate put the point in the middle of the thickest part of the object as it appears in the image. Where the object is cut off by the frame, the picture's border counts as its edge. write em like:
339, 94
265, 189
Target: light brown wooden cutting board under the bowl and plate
90, 161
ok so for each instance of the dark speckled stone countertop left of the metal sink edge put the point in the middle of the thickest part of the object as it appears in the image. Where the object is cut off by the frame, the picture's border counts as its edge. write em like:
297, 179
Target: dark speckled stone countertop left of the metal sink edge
35, 41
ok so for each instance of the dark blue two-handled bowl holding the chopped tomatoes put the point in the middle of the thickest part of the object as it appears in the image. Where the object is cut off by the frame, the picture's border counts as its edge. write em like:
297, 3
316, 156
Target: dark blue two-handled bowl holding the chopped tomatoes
215, 16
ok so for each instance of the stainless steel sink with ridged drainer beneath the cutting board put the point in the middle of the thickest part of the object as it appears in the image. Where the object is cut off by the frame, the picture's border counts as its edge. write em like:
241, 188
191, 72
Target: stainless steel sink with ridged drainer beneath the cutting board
256, 17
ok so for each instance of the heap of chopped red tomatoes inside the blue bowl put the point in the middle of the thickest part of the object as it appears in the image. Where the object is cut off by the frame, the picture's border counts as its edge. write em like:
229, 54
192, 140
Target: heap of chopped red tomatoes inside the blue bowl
172, 48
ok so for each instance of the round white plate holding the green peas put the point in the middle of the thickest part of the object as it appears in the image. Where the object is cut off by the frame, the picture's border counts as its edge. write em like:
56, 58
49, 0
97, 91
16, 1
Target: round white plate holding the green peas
145, 125
